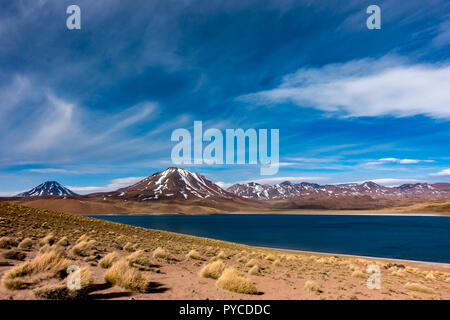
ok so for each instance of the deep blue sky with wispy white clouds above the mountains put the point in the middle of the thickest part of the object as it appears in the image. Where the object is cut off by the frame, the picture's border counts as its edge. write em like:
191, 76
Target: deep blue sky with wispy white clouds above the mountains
94, 108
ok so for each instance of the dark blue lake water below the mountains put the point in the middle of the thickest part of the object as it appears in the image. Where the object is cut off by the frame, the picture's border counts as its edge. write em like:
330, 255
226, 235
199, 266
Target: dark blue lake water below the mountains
401, 237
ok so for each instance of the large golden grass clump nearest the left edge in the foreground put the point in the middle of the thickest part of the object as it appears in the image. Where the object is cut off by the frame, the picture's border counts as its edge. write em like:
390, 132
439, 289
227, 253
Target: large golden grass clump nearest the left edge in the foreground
52, 263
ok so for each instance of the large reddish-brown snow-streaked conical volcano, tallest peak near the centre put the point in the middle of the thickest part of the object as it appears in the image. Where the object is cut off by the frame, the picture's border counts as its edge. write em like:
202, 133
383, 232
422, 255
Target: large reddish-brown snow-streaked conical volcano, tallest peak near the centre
174, 183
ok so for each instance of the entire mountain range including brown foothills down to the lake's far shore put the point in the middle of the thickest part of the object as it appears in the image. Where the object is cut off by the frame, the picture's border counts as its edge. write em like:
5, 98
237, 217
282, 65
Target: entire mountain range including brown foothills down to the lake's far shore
177, 190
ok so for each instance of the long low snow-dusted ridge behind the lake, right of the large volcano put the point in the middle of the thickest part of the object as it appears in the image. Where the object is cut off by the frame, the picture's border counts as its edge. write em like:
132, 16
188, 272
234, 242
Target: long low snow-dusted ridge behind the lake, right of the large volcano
288, 190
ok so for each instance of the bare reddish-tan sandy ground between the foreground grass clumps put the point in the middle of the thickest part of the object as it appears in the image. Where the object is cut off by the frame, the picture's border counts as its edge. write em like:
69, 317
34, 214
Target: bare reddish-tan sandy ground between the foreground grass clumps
284, 279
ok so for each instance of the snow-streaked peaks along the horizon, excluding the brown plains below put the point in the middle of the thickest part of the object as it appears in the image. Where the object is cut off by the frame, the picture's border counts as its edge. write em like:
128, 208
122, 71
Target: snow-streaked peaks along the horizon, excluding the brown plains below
181, 184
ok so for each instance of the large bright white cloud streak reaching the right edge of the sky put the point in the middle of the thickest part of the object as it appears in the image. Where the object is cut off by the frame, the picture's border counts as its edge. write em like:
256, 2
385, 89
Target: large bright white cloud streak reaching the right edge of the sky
366, 87
